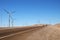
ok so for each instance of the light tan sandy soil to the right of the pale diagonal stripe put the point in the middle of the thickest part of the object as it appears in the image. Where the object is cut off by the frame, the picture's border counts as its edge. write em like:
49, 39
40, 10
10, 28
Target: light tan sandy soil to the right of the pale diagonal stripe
46, 33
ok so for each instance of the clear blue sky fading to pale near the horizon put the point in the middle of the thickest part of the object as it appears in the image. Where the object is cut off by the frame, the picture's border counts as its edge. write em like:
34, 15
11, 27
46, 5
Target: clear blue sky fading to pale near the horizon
28, 12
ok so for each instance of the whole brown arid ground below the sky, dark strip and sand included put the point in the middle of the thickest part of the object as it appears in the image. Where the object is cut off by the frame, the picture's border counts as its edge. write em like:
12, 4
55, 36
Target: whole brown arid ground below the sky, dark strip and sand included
34, 32
